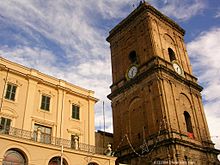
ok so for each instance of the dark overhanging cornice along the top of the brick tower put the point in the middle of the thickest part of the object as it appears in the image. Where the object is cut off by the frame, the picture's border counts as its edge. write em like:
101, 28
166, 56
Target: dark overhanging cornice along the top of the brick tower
144, 7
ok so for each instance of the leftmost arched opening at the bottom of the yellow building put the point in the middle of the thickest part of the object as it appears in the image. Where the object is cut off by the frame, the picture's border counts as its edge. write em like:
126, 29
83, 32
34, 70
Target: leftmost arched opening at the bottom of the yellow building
14, 157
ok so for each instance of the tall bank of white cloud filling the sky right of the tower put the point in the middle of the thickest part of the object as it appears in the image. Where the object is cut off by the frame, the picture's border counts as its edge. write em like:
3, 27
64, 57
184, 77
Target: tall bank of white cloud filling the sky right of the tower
205, 51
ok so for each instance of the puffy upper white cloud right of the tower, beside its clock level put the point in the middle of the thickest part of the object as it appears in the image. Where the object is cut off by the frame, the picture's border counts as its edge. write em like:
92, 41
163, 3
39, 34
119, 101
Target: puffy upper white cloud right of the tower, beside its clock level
205, 50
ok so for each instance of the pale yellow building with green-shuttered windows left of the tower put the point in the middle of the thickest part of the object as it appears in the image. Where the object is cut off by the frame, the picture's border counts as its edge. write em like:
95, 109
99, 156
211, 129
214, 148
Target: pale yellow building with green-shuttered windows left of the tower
45, 120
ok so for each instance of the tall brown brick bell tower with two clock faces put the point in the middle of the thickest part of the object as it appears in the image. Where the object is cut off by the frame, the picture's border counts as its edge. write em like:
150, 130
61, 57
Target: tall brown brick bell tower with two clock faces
157, 107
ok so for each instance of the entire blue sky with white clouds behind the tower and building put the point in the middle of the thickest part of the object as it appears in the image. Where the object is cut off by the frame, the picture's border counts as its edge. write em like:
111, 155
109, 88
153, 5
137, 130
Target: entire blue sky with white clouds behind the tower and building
66, 39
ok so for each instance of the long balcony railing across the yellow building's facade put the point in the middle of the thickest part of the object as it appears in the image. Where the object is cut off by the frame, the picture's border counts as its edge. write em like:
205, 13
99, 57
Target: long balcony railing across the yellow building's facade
49, 140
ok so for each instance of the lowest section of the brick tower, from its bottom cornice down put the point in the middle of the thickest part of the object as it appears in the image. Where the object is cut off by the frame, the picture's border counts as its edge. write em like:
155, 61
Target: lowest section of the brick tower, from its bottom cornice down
171, 151
